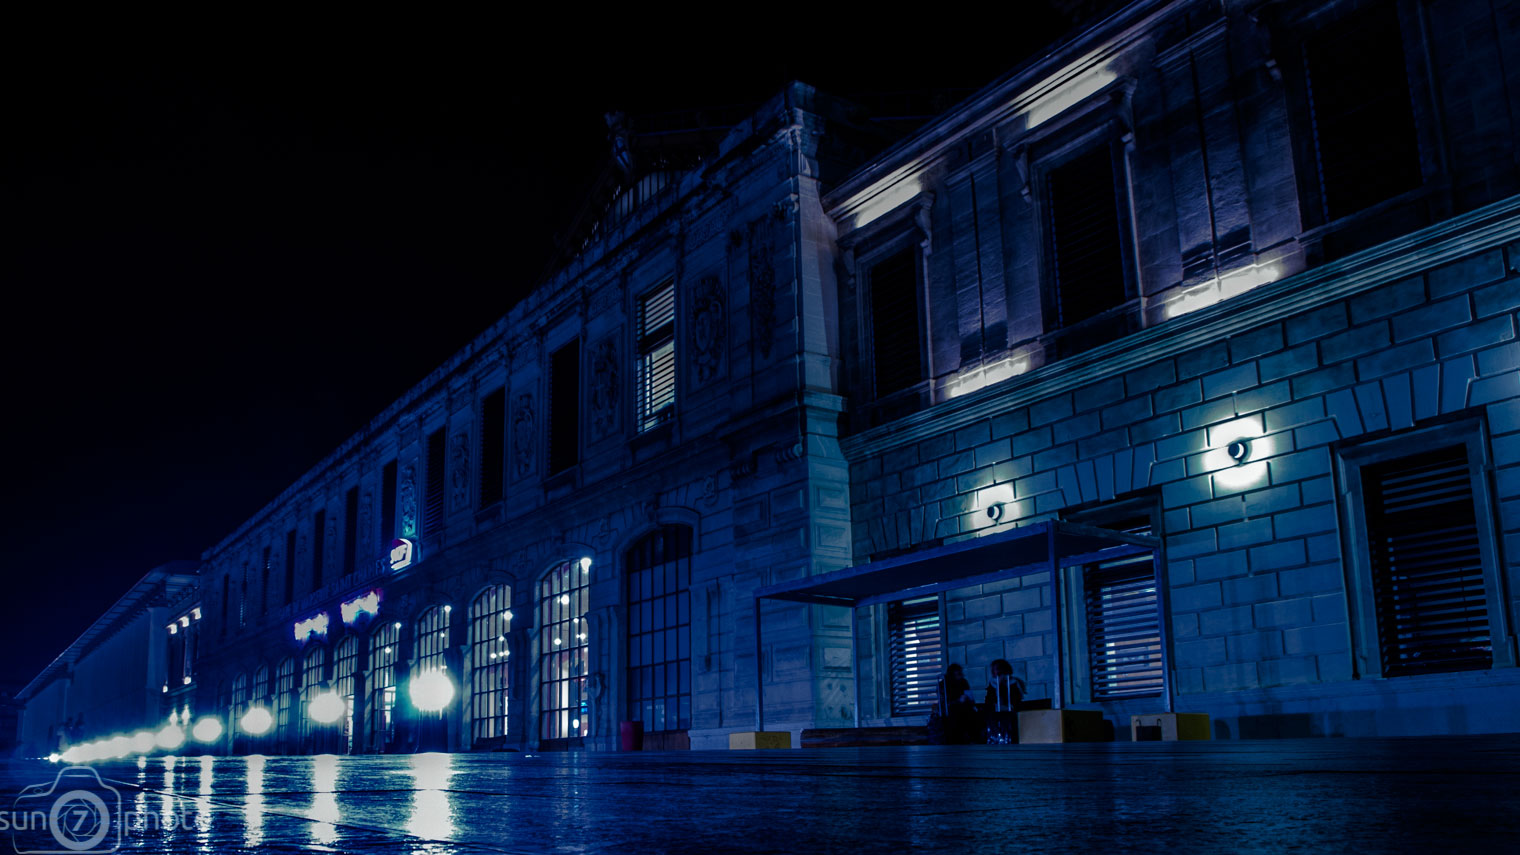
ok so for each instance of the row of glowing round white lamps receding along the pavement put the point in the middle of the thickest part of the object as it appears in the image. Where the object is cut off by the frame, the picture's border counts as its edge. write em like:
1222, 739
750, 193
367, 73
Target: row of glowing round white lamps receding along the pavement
432, 691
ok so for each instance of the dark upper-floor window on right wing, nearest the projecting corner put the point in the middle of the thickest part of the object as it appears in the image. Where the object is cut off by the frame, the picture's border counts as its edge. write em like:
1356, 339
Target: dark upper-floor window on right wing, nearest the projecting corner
896, 345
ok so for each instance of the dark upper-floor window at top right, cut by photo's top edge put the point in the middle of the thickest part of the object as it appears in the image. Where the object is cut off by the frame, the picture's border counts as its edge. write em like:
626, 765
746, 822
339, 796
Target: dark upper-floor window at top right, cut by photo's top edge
1360, 112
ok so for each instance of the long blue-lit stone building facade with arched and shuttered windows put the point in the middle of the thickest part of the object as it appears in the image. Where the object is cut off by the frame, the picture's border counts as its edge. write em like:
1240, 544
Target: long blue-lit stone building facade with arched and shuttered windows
1241, 276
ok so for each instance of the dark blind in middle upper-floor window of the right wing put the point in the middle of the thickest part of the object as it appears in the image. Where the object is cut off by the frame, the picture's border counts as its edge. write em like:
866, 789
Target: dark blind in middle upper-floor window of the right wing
1085, 237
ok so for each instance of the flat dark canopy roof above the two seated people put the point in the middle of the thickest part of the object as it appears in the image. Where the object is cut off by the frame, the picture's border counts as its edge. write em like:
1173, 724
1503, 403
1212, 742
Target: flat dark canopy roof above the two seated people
1027, 550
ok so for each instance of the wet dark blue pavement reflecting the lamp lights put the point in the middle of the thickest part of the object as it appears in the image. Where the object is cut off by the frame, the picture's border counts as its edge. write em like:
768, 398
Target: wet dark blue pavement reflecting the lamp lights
1267, 796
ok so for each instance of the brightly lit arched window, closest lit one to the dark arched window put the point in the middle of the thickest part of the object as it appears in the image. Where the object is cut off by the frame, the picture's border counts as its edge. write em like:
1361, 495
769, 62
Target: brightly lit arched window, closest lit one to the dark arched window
563, 602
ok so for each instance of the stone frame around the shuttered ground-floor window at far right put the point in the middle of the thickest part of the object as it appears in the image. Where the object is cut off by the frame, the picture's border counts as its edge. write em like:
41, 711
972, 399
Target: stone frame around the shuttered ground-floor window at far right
1351, 460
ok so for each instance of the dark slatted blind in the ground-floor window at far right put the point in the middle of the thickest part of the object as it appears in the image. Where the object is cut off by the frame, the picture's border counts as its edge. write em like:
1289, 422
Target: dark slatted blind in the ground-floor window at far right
1428, 571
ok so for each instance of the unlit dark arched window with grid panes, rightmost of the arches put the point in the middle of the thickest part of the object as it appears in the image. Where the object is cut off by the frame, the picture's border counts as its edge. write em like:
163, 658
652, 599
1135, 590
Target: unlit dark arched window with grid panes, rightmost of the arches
660, 631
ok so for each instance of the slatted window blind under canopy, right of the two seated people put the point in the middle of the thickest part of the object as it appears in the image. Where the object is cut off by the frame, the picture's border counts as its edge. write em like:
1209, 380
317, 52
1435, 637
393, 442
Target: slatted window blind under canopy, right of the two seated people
1124, 626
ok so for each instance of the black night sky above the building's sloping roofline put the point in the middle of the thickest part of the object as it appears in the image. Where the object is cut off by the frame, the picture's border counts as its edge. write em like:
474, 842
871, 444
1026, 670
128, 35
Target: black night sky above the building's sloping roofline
220, 265
